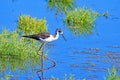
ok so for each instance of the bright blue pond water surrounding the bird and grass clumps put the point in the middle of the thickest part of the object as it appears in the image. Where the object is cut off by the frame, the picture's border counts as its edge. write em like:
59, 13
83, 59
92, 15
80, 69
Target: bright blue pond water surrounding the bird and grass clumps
85, 57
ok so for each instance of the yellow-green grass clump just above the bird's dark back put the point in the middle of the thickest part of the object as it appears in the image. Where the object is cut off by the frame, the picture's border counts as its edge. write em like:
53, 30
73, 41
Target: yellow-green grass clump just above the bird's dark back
29, 25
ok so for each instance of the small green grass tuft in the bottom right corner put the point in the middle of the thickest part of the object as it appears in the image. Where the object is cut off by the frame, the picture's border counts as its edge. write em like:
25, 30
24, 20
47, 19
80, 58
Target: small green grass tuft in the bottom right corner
112, 75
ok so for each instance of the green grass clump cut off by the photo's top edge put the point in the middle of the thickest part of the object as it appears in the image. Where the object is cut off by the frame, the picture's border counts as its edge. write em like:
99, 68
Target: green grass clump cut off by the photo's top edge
61, 5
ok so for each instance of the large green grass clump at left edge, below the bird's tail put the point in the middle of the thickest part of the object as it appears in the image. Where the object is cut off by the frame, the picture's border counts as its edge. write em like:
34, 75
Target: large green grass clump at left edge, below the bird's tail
16, 52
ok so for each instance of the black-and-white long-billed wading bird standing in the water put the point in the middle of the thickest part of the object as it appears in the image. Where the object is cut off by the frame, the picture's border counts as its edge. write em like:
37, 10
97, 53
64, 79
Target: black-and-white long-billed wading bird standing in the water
46, 37
